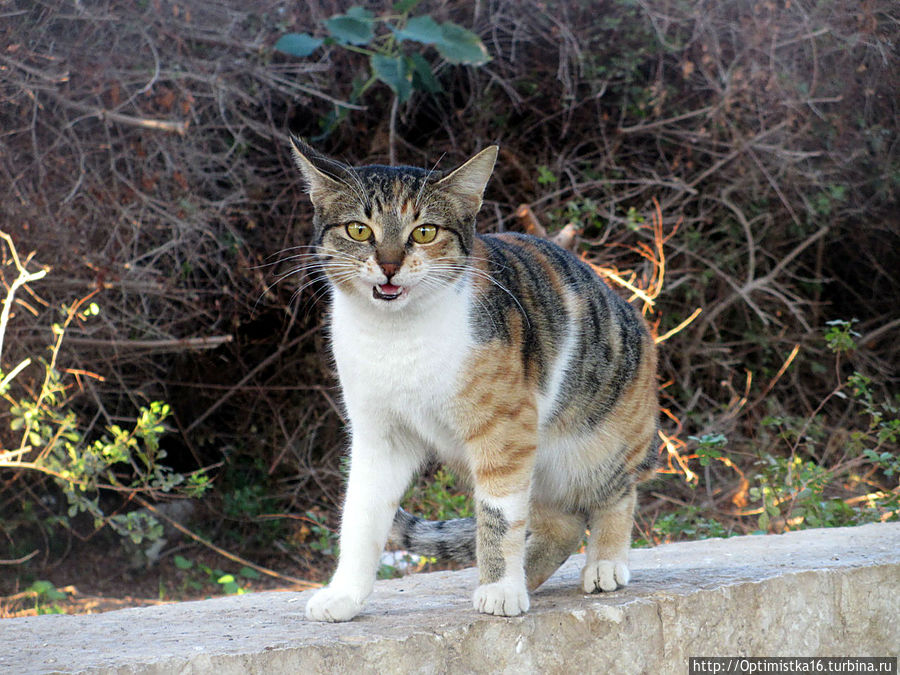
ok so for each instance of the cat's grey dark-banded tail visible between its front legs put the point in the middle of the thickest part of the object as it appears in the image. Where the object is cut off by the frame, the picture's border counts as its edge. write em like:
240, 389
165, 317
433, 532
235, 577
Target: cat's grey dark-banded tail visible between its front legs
442, 539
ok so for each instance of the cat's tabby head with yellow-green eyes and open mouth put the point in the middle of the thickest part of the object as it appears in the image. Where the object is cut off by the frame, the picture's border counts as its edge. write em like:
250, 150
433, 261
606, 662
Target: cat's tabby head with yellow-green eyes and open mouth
393, 236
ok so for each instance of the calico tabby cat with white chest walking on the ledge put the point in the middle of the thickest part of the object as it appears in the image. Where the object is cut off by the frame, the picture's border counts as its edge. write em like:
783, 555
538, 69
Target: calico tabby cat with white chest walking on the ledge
503, 356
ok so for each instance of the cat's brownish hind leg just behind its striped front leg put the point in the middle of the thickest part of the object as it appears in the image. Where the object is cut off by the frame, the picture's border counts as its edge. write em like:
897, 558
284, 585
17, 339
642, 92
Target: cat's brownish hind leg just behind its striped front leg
553, 535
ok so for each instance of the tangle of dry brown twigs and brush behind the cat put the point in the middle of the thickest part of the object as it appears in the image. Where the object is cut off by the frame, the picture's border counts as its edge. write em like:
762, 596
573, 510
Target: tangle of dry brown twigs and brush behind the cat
766, 131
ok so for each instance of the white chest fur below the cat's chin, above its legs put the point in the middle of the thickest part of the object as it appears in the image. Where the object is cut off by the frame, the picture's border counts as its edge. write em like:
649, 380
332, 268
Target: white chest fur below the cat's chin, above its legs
399, 371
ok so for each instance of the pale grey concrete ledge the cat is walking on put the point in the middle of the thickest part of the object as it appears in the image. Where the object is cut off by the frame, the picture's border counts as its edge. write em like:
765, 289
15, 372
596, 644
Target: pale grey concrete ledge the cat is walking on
812, 593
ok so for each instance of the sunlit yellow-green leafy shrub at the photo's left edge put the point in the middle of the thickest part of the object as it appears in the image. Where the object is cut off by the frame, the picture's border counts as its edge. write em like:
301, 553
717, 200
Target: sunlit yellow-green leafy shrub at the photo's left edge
47, 438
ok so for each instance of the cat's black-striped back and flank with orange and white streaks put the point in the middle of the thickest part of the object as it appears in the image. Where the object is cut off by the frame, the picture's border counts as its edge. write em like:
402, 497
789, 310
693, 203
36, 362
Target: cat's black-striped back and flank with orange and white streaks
581, 344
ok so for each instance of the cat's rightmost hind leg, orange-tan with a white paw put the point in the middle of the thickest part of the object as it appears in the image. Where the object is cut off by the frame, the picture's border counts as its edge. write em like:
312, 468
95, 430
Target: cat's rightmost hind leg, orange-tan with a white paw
607, 548
